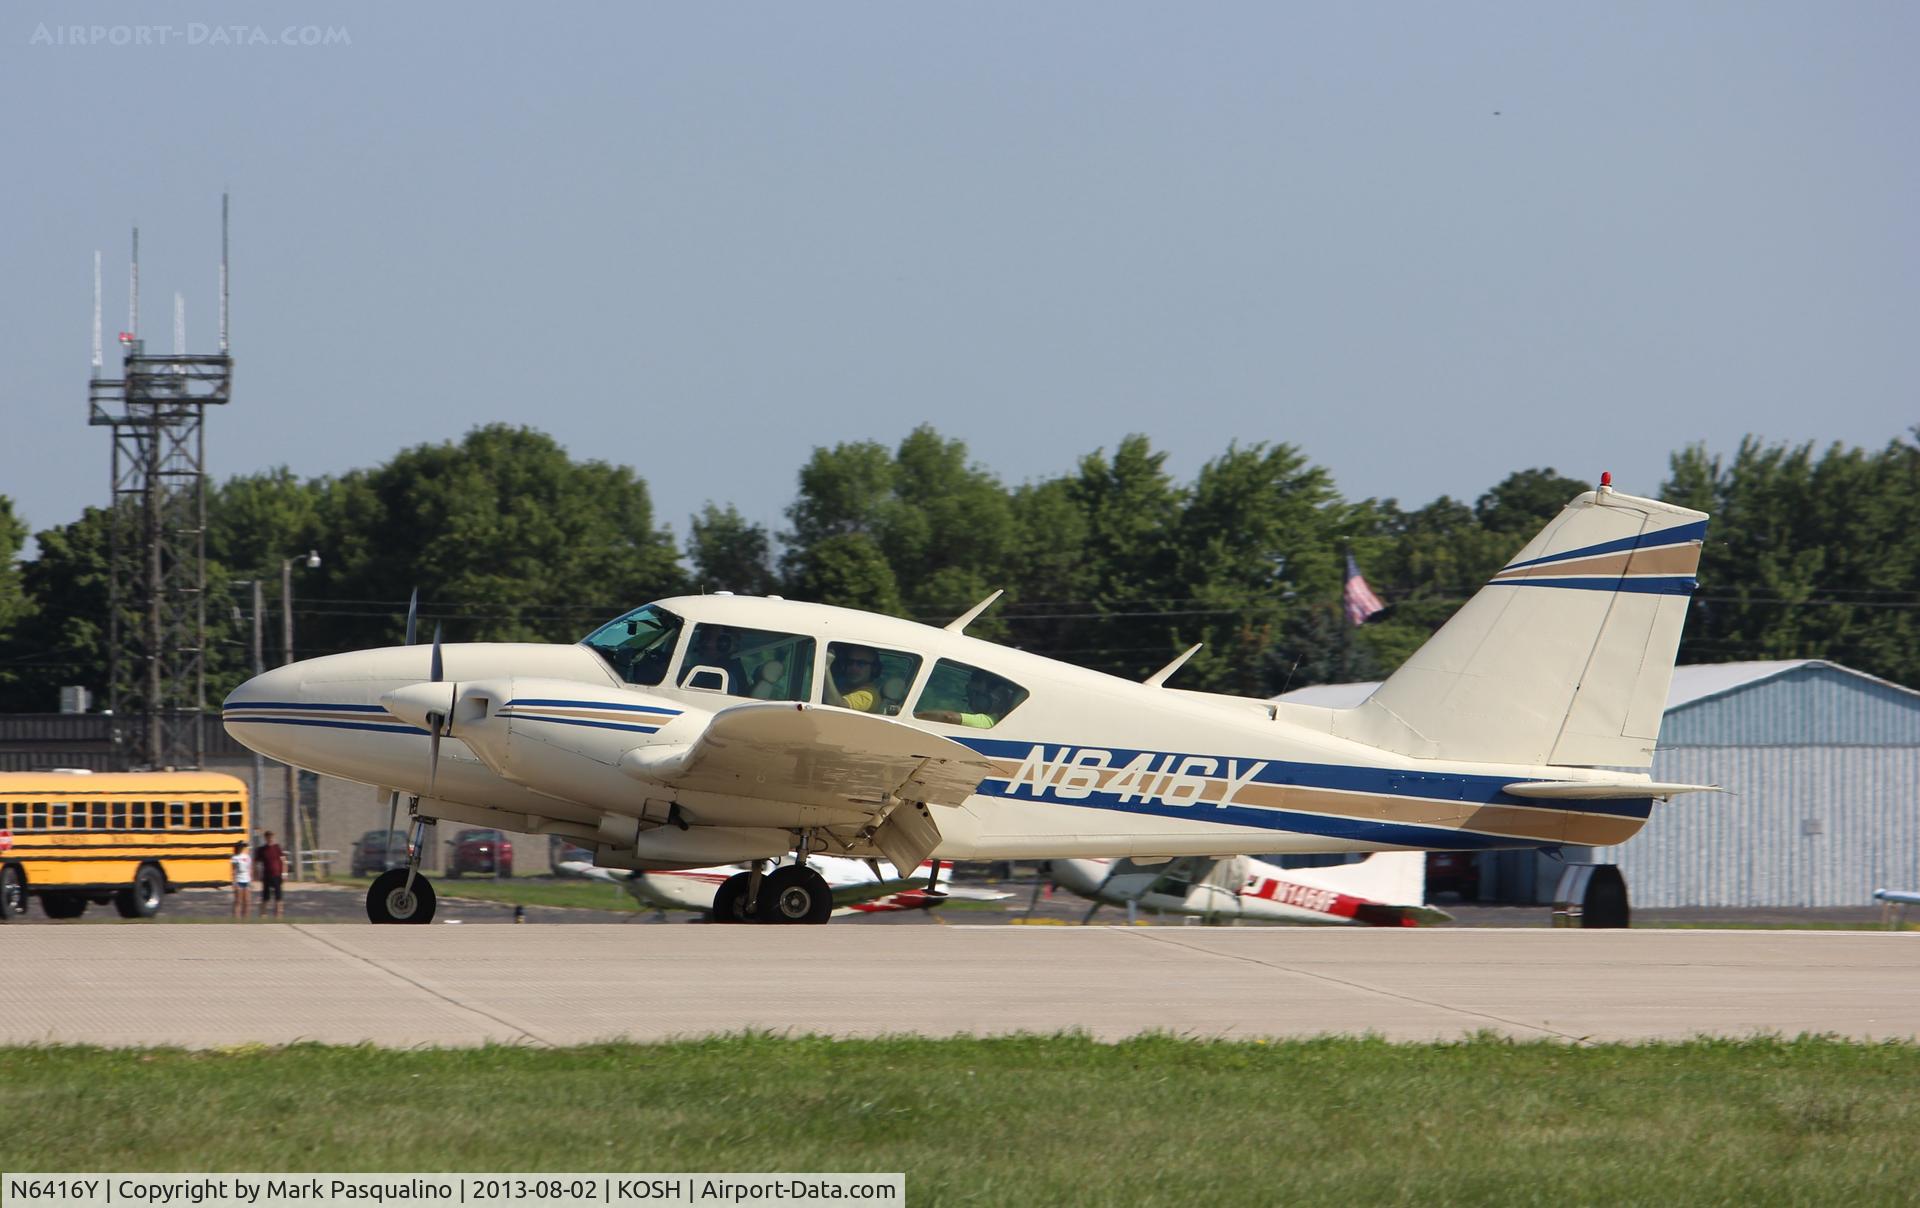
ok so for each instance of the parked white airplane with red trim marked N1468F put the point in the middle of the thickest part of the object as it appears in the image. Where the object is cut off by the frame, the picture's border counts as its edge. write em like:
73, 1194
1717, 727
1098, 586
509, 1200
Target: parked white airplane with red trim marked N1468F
1385, 890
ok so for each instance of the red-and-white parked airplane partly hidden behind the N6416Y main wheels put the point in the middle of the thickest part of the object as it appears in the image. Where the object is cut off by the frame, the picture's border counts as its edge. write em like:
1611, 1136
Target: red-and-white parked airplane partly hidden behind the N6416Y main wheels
857, 888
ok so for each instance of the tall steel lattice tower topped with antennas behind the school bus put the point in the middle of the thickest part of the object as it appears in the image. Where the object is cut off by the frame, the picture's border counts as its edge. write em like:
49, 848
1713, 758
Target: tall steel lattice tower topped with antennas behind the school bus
158, 521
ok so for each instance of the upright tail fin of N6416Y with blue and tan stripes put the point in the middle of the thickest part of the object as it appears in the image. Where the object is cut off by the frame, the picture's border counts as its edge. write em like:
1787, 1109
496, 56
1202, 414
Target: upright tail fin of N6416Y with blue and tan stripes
1564, 658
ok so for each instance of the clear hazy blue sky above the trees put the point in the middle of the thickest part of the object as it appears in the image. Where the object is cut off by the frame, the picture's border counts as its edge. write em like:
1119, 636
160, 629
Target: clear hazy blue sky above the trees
1429, 245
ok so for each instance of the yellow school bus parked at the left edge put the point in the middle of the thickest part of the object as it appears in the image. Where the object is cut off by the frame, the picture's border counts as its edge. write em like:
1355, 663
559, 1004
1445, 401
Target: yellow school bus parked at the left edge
122, 838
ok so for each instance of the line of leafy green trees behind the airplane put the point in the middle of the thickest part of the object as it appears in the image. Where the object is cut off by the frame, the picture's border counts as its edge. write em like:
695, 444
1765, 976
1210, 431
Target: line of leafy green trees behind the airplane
1115, 566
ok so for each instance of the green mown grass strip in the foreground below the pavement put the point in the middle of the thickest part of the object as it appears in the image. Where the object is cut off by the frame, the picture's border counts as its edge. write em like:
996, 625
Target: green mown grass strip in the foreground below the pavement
1026, 1121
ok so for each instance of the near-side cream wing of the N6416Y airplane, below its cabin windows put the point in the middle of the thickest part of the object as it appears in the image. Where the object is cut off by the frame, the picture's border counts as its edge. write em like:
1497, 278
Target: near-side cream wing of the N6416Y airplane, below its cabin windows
815, 756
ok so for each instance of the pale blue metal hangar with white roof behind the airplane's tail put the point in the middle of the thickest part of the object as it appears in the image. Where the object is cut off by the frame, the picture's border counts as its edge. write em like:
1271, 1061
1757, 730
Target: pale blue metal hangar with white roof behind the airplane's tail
1821, 769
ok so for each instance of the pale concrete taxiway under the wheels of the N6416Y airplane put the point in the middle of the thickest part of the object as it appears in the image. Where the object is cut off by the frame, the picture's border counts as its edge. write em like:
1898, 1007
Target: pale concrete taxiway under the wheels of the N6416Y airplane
212, 986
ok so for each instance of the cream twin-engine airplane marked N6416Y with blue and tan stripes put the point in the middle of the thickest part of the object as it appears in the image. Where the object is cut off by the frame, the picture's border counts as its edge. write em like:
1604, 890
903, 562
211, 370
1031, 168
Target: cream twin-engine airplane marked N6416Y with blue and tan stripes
734, 731
